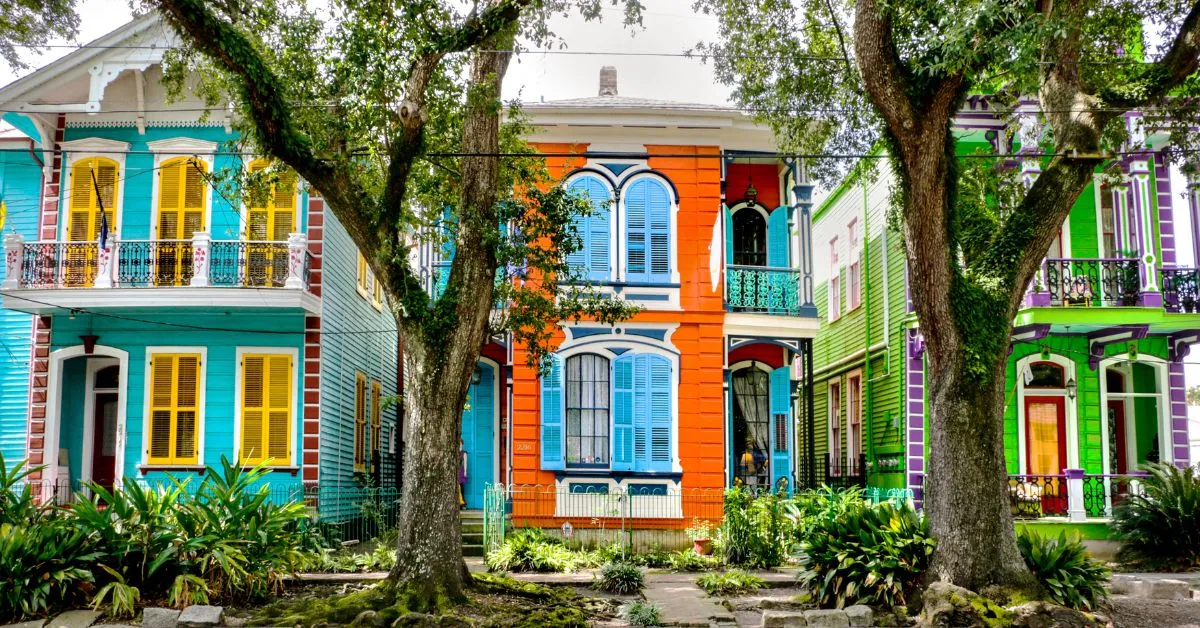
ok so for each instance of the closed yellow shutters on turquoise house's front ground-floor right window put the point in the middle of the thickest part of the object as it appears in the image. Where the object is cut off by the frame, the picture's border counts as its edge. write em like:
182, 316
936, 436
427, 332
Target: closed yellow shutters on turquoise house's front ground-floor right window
267, 409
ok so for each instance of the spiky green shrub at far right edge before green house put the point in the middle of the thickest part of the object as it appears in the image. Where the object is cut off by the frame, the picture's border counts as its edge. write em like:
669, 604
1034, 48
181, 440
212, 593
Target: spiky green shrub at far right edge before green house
1160, 530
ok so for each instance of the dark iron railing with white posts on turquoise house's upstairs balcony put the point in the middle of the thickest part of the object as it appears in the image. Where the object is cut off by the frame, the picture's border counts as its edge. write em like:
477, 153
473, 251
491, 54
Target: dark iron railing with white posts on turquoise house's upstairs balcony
200, 262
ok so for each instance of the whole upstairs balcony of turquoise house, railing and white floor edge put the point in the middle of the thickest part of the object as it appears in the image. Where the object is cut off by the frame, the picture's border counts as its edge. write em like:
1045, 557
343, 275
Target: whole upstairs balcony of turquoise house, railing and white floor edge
45, 277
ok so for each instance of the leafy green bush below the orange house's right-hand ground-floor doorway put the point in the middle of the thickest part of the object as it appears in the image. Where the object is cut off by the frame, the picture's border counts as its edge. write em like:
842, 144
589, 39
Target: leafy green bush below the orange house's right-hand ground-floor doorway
755, 530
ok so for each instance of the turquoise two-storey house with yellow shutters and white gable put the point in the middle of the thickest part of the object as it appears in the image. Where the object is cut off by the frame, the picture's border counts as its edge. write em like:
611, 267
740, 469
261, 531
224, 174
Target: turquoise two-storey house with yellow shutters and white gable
152, 327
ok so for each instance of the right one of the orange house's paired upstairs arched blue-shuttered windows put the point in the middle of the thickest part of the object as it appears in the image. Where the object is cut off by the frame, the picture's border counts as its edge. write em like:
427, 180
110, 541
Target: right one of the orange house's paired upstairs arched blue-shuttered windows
649, 232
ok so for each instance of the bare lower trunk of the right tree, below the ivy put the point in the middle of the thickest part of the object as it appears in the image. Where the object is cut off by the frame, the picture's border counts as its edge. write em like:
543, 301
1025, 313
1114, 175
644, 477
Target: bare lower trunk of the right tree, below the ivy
967, 491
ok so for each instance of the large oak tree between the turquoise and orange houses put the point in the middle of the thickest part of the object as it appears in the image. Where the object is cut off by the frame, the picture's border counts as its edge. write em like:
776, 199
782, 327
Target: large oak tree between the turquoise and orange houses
392, 112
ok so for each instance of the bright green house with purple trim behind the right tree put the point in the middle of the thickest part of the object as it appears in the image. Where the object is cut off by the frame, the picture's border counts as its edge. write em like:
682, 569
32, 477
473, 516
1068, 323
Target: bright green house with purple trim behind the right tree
1096, 385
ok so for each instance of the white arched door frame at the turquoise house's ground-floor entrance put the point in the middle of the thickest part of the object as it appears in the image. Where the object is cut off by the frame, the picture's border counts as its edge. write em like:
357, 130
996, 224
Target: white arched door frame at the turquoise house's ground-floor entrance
55, 403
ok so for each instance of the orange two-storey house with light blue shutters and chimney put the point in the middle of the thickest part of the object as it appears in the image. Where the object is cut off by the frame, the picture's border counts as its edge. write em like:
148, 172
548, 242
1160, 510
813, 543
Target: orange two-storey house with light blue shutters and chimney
703, 225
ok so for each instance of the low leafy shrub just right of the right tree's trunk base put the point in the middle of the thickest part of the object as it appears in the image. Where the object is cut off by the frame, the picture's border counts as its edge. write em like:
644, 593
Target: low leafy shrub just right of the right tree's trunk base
1065, 569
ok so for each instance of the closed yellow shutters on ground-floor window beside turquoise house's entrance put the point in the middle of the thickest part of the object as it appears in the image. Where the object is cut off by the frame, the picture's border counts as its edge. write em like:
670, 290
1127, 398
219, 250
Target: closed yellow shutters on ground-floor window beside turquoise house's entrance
175, 409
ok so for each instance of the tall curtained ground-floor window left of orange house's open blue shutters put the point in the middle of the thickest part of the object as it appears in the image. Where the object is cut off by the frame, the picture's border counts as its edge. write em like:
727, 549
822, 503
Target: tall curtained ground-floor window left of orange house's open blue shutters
589, 388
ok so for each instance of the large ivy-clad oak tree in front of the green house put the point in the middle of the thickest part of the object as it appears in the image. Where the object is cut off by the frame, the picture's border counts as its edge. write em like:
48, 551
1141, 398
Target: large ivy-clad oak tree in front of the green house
844, 76
